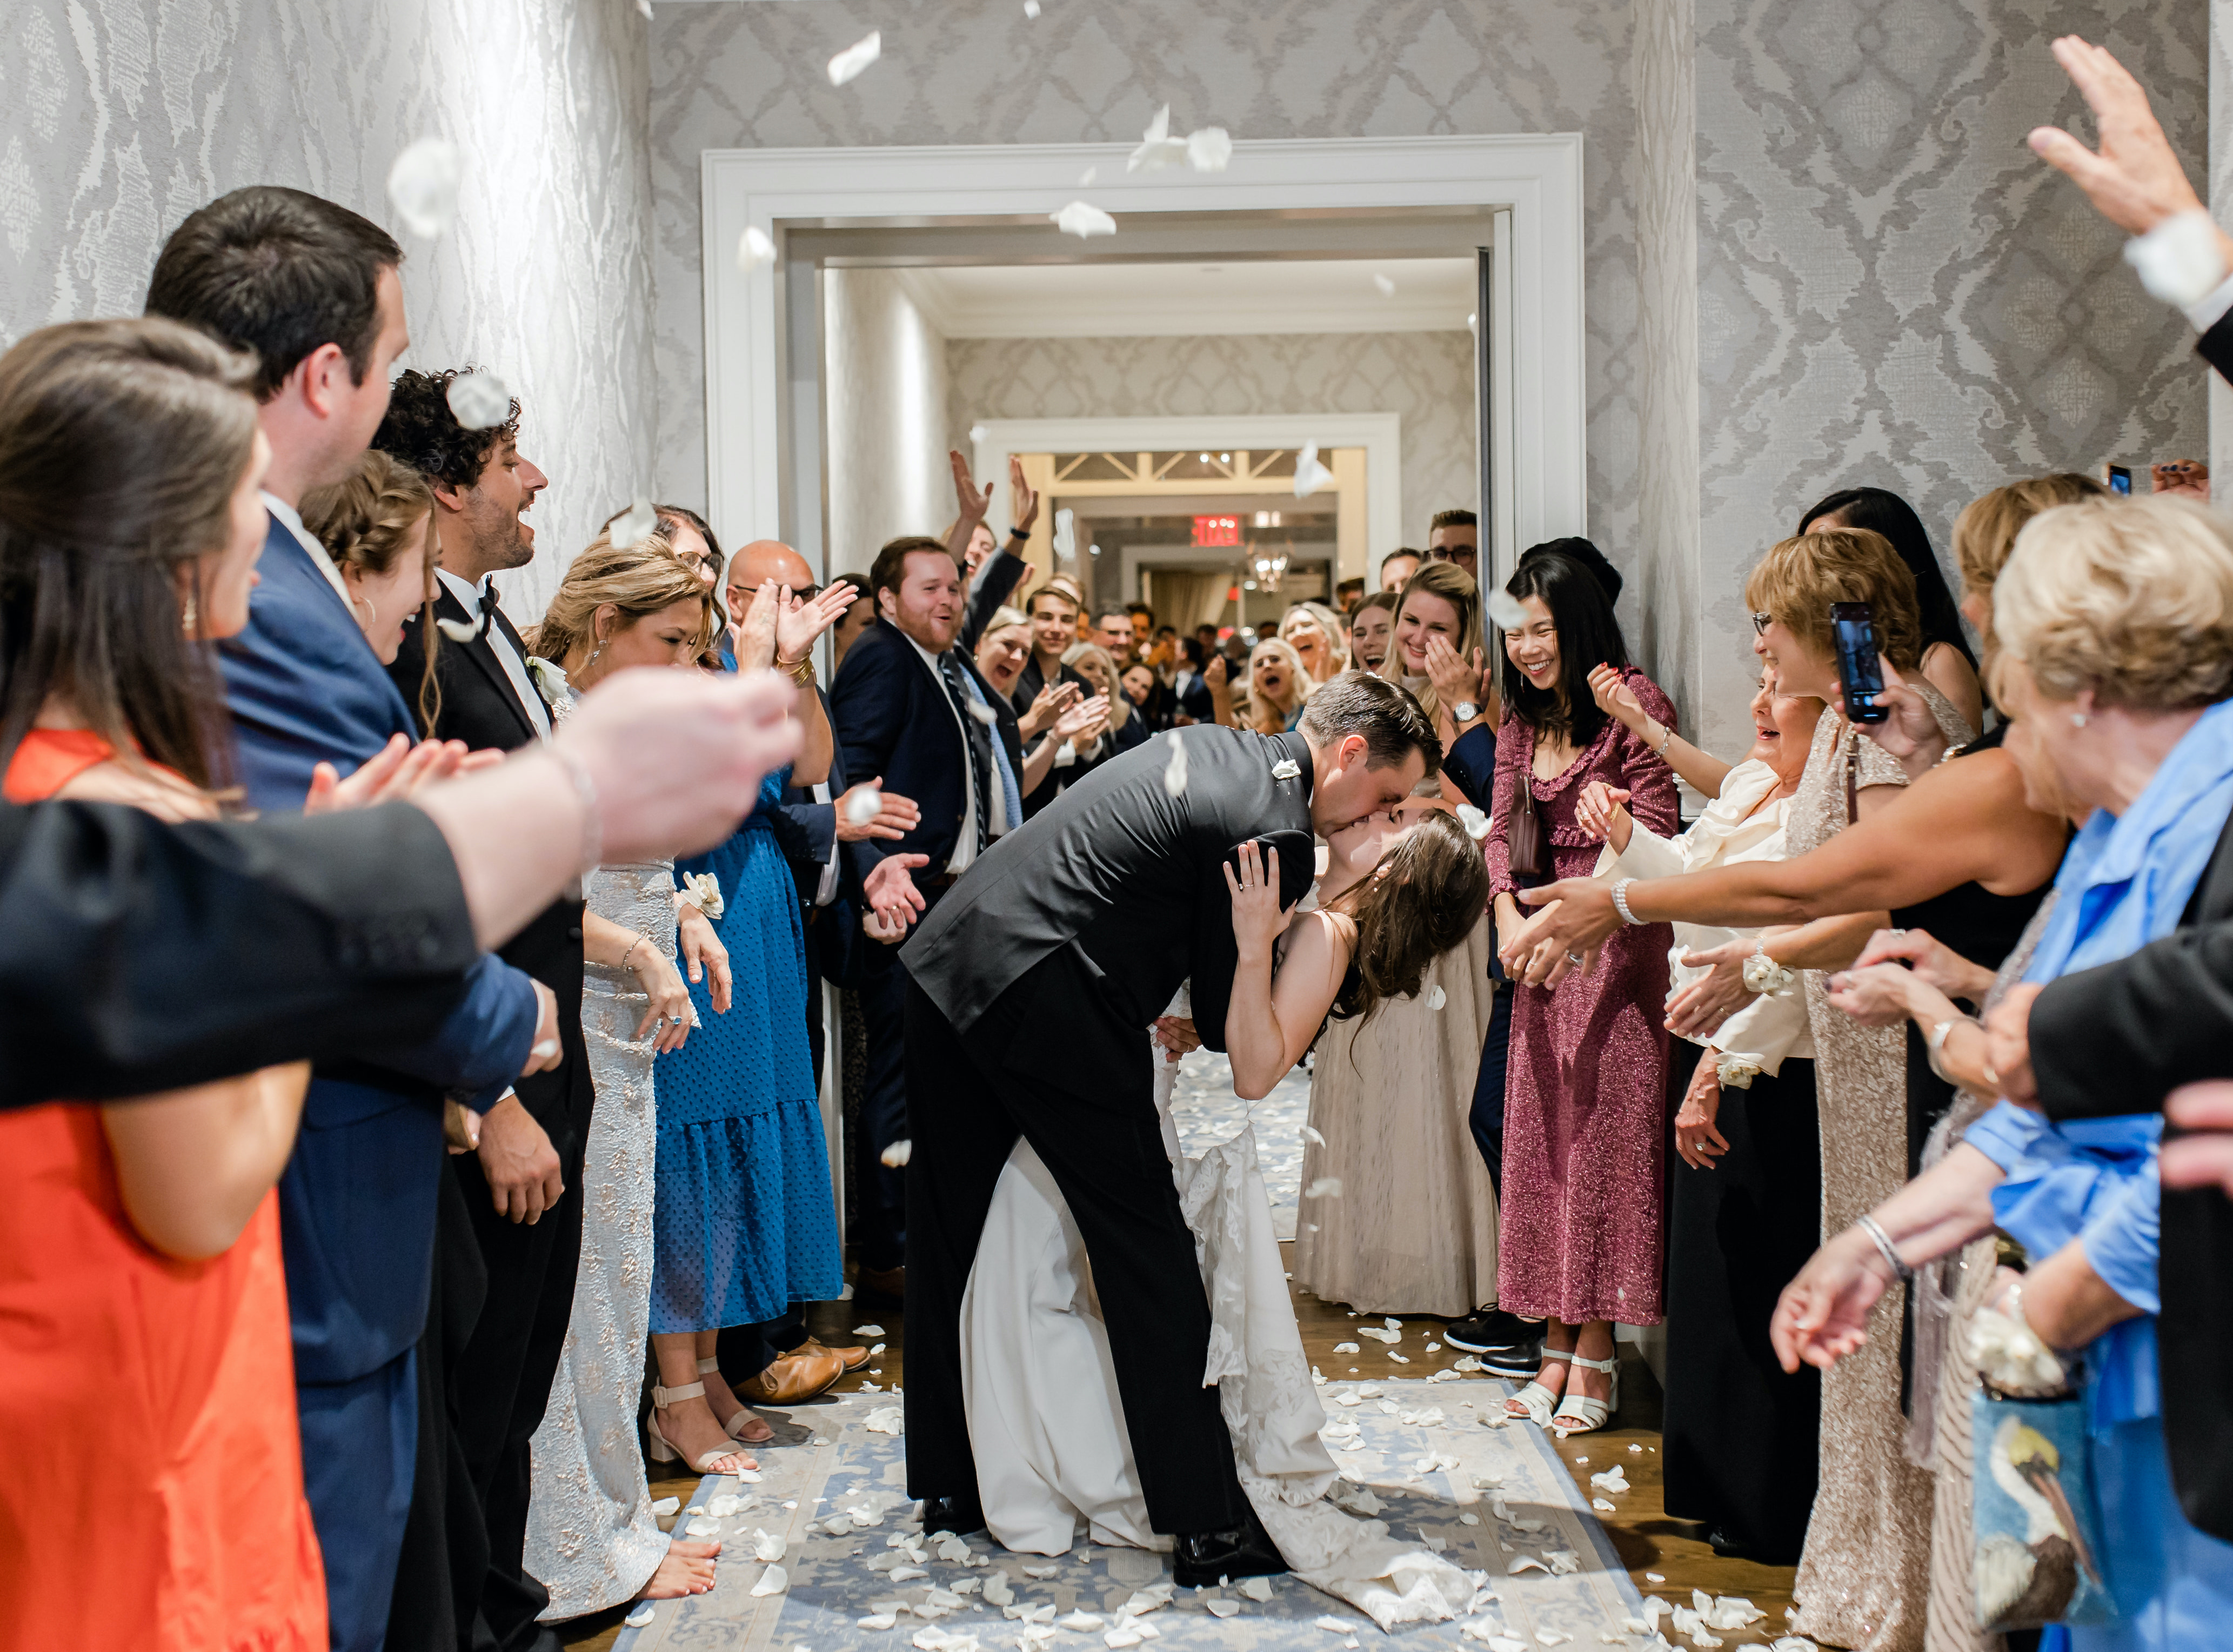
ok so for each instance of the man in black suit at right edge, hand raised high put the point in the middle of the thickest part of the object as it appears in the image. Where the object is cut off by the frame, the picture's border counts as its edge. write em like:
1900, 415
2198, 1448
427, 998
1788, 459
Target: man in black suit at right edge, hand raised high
2131, 1032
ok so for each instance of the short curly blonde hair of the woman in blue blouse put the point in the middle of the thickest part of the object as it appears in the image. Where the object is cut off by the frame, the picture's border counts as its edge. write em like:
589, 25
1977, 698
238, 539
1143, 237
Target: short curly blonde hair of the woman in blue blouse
2131, 599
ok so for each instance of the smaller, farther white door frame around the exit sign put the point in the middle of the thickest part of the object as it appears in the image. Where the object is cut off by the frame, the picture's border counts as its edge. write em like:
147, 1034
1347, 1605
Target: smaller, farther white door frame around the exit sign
1379, 434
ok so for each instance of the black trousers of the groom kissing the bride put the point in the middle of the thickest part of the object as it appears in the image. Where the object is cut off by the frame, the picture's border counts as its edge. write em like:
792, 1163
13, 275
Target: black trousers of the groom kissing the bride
1051, 1064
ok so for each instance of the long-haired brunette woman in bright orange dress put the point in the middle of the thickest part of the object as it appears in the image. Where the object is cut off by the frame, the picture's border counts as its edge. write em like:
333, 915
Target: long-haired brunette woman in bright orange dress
151, 1486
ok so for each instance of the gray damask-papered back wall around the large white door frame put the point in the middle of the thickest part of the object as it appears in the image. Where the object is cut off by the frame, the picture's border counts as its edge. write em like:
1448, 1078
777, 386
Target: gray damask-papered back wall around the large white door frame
979, 73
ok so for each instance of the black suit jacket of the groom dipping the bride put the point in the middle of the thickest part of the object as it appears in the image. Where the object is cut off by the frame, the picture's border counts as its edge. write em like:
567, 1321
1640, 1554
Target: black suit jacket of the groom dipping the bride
1133, 878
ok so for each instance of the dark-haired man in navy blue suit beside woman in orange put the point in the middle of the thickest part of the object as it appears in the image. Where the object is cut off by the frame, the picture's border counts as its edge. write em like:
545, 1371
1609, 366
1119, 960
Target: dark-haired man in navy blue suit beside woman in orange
316, 291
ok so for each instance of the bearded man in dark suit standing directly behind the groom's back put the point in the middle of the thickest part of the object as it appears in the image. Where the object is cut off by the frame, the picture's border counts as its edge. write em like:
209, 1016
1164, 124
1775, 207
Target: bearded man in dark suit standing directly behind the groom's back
912, 707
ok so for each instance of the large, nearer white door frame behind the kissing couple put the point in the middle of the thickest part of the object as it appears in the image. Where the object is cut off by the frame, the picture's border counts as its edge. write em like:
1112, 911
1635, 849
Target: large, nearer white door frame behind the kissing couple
1535, 175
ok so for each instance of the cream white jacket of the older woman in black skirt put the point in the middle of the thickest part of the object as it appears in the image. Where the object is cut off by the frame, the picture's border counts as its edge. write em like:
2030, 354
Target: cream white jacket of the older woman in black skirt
1734, 829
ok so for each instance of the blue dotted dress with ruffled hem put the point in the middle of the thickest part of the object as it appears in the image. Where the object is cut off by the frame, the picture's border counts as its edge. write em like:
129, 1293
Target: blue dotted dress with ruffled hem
745, 1222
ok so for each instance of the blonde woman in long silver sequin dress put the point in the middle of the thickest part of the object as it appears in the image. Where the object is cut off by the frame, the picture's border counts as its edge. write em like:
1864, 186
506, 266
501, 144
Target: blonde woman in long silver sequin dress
591, 1533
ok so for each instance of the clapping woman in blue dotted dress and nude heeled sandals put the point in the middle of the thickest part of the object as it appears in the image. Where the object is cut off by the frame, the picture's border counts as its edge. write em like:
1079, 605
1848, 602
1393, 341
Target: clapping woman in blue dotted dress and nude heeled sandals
745, 1222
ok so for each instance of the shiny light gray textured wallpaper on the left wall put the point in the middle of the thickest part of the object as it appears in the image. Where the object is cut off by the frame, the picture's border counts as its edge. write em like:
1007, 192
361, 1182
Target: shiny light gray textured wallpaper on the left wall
119, 117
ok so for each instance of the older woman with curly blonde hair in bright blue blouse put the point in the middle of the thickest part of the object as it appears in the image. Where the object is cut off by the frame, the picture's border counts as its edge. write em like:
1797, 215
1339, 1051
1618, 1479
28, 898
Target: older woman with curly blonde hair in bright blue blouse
2116, 624
